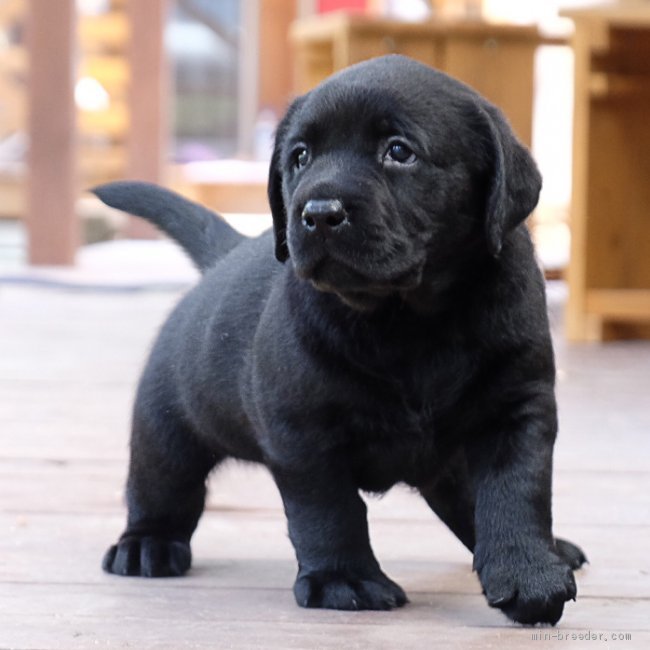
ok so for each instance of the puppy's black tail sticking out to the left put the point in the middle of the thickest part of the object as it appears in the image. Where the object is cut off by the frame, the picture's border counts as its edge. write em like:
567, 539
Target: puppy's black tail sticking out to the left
203, 235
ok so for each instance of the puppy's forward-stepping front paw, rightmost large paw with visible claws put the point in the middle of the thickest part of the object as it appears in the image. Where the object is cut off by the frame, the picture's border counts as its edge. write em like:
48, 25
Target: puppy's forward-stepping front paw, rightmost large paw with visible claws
530, 585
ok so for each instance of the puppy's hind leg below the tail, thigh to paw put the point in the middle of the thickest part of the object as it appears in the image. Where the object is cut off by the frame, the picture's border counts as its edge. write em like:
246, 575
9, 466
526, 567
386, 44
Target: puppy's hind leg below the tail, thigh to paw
165, 496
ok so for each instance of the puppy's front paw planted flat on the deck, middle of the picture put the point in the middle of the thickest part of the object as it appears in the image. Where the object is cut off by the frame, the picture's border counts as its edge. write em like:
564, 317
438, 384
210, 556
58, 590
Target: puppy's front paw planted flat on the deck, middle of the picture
347, 590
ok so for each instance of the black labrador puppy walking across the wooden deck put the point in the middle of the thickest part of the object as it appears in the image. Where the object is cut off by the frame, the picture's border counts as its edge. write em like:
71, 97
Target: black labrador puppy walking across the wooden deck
399, 334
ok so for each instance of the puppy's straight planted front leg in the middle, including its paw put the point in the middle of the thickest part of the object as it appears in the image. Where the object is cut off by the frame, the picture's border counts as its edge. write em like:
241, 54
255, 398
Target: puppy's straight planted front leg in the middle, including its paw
329, 531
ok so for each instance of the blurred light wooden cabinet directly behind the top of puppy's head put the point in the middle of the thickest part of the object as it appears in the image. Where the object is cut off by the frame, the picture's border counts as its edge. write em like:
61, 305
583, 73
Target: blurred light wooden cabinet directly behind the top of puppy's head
497, 60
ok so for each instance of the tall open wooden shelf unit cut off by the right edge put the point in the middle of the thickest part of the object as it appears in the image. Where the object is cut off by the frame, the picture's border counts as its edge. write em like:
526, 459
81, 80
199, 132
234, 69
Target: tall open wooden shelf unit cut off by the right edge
609, 271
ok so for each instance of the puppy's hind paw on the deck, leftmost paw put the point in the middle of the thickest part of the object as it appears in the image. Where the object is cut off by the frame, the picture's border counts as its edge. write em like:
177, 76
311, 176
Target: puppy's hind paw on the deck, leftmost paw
150, 557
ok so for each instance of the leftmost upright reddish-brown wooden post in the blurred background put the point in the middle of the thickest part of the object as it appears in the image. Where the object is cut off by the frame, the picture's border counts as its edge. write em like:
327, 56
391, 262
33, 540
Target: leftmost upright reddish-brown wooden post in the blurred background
52, 227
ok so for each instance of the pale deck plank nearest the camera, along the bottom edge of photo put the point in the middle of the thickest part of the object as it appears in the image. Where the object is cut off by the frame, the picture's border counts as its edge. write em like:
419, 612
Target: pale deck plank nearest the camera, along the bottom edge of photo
54, 635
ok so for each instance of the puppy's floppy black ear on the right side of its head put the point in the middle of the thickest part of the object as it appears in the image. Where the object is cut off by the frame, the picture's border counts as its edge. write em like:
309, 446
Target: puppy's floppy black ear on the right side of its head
515, 183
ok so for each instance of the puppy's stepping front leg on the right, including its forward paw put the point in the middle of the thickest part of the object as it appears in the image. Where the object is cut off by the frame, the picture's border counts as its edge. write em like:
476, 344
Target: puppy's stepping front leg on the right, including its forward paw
515, 554
